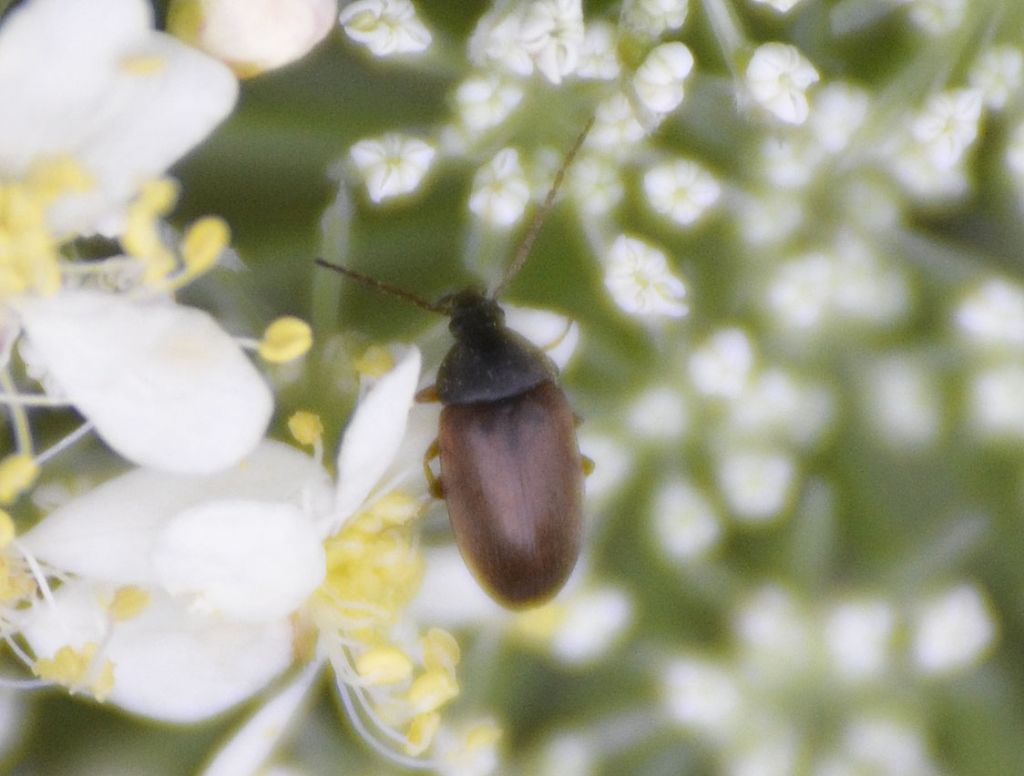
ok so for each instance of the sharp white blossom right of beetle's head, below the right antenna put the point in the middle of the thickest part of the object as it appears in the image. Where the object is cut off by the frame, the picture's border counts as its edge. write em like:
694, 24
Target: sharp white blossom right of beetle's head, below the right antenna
639, 280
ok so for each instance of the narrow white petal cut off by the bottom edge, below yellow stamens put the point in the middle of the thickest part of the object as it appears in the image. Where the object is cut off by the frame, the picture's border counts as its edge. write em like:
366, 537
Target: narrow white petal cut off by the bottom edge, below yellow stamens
251, 746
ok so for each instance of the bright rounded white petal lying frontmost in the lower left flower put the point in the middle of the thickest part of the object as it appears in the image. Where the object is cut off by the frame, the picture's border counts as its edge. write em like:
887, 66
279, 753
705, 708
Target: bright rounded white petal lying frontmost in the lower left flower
247, 561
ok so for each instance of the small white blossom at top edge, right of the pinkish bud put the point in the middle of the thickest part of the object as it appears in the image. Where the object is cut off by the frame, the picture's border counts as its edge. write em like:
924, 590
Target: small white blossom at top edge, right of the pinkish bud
386, 27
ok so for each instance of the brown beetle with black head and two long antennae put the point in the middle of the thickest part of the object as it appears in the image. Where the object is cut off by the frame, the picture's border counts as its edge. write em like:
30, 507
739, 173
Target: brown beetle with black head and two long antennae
511, 471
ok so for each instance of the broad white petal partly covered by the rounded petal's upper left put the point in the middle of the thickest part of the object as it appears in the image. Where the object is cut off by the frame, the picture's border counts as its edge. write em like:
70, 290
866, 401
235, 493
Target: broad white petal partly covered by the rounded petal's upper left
110, 533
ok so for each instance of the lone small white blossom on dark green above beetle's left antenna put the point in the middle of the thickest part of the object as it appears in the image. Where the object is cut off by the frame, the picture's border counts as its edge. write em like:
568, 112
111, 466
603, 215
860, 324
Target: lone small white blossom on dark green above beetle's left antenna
393, 165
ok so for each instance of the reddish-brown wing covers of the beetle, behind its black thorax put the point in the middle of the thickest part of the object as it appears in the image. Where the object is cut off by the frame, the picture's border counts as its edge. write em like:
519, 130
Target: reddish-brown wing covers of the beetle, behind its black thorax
514, 483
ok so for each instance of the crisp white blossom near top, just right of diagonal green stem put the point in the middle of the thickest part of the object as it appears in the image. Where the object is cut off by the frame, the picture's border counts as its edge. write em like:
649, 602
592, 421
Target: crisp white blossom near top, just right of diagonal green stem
779, 77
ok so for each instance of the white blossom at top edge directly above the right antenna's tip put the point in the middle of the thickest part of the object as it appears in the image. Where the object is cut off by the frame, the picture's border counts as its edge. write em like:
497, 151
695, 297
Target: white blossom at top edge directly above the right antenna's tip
553, 32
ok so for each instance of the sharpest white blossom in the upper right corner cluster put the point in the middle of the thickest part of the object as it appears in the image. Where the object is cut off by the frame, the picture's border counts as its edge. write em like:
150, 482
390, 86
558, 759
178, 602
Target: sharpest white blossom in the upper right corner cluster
949, 125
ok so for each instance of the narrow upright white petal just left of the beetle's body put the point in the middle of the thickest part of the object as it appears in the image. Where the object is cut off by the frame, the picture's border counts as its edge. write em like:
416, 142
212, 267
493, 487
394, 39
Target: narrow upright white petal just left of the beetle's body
375, 434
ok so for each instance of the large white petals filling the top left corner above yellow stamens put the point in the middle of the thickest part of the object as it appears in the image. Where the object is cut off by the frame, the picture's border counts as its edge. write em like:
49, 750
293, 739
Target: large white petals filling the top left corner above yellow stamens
95, 82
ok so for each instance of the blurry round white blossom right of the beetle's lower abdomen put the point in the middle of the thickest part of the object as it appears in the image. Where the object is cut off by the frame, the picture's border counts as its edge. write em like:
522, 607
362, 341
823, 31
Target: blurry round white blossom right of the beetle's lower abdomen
686, 526
